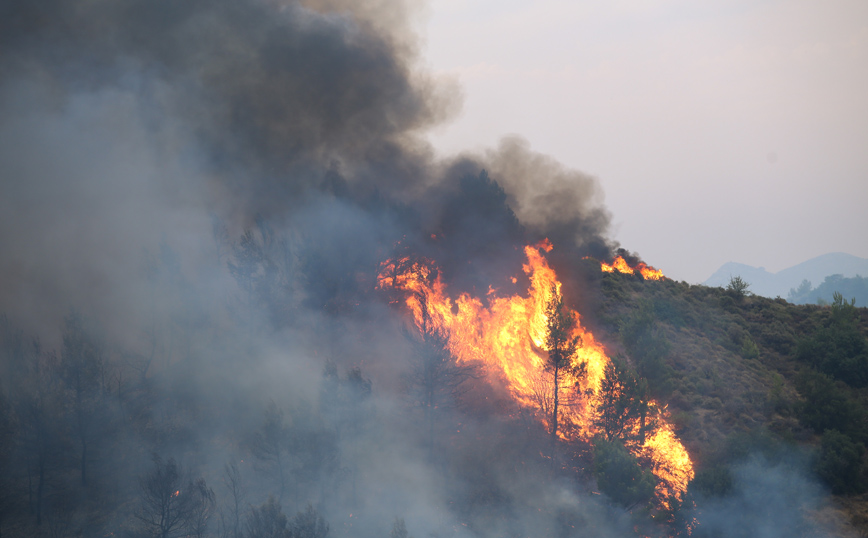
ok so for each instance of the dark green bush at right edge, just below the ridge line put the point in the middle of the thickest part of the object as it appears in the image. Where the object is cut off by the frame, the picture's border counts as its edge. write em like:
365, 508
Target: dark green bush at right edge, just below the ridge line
839, 348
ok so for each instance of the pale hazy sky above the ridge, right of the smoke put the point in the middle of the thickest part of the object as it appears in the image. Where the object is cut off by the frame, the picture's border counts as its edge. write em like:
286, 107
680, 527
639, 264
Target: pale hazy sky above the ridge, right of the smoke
719, 130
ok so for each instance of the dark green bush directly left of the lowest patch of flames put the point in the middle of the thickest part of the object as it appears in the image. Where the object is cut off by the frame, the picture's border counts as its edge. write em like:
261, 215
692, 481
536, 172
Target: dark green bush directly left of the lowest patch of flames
619, 475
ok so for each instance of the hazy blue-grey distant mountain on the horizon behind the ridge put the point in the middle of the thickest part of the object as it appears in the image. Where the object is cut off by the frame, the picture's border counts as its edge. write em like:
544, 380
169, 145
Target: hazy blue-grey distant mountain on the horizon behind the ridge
779, 284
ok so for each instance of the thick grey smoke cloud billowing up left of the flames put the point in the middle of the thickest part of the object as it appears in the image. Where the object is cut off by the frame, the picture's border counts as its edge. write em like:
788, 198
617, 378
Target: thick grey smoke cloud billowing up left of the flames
215, 184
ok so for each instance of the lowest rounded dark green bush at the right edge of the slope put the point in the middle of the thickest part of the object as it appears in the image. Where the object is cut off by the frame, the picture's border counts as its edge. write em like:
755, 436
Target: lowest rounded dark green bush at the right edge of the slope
842, 464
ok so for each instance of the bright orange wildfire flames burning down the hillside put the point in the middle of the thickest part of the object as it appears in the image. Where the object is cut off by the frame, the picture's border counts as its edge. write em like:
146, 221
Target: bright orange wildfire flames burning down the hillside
508, 338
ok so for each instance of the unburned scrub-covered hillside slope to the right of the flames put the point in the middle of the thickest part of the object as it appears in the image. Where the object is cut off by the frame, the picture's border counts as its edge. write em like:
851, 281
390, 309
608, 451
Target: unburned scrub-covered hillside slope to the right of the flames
741, 378
